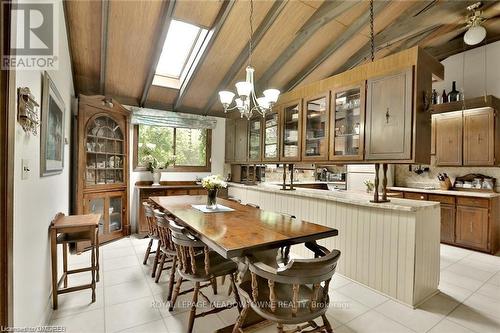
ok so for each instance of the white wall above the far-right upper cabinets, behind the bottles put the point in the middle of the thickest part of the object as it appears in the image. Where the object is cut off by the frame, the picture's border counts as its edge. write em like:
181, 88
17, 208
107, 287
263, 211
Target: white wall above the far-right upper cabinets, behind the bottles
474, 73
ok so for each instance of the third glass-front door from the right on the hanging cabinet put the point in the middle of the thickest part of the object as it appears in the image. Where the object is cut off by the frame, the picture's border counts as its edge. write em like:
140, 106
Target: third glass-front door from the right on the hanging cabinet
291, 134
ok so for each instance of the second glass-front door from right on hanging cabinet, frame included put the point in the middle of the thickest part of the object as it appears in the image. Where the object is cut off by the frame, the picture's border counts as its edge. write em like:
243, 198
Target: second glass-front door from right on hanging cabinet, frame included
316, 128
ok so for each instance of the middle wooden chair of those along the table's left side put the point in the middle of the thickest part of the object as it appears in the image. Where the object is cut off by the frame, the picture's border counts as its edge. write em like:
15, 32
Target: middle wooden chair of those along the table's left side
167, 251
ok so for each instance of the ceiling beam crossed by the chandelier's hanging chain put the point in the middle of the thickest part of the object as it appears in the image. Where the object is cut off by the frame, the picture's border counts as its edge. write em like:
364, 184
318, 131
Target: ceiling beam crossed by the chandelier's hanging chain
271, 16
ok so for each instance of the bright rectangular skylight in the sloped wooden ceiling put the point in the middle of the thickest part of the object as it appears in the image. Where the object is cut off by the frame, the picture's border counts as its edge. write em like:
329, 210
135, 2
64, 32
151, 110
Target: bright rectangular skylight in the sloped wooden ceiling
183, 42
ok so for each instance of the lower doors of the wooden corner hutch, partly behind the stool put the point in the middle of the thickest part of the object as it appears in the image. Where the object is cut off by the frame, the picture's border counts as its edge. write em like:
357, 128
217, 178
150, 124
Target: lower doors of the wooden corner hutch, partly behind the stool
110, 205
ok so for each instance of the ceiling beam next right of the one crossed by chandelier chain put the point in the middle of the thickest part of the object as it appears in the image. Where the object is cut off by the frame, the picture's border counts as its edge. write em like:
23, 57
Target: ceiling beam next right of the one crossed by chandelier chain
328, 11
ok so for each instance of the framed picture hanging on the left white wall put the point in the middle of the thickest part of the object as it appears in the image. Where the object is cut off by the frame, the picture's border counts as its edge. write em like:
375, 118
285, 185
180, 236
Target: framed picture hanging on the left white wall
52, 129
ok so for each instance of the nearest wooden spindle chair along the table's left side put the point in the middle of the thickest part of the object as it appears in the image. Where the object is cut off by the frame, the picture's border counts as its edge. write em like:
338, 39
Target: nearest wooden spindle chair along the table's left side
198, 264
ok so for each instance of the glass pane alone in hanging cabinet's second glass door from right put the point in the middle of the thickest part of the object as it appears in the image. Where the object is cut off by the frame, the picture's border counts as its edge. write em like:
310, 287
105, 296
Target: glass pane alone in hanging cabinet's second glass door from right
316, 122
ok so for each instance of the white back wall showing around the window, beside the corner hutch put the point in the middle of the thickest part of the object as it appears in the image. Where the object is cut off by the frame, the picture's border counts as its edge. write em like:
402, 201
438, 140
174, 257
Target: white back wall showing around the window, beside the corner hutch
218, 150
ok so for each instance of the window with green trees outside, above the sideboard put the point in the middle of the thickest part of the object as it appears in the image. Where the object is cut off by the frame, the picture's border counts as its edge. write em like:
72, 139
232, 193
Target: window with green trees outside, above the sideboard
191, 147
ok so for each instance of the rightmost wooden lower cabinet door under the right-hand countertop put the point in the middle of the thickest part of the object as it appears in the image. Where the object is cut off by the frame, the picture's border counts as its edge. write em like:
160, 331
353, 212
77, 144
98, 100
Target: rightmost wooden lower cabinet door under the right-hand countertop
472, 227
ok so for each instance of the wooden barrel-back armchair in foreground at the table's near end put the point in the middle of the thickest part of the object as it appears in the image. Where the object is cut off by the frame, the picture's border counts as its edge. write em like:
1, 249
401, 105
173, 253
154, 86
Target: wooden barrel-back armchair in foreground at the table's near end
291, 295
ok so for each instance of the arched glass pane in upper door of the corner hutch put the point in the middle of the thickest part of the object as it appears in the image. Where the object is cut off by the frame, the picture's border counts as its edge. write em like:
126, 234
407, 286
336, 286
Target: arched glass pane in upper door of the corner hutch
104, 152
